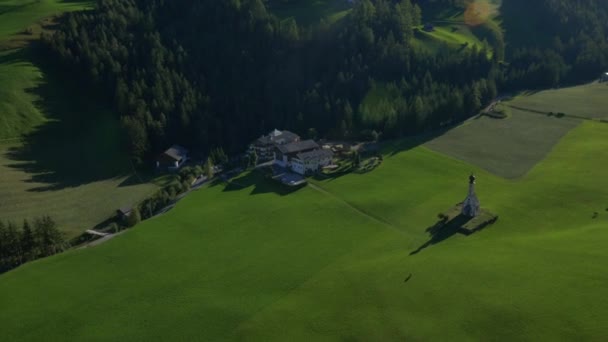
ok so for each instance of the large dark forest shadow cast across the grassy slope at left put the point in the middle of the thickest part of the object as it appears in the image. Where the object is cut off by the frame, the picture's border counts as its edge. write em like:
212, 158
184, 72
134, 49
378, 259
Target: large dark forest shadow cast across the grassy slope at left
81, 141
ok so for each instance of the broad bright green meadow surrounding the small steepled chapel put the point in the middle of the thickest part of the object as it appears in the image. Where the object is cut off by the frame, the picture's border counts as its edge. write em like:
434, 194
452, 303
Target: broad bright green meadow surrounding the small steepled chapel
257, 265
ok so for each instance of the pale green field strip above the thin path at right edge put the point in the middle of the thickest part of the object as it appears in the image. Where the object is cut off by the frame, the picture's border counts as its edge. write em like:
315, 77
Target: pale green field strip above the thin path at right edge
589, 101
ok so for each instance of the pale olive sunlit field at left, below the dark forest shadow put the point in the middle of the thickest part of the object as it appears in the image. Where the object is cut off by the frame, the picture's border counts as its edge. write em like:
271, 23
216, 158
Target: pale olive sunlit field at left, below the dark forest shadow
28, 192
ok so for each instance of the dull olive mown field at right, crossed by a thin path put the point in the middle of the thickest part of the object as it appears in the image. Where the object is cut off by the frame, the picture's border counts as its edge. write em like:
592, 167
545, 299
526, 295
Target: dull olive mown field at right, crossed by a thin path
511, 147
